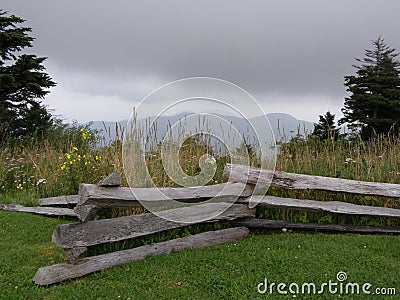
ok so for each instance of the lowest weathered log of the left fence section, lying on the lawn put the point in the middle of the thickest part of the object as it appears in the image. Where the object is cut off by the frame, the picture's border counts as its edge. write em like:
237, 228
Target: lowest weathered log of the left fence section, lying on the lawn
57, 273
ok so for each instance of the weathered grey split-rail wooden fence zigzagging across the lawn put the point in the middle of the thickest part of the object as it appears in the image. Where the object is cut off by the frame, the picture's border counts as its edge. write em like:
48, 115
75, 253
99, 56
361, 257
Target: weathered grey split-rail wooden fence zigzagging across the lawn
75, 238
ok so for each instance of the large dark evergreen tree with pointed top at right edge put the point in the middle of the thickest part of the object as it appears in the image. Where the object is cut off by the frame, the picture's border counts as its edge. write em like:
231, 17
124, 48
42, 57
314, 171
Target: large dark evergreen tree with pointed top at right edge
374, 102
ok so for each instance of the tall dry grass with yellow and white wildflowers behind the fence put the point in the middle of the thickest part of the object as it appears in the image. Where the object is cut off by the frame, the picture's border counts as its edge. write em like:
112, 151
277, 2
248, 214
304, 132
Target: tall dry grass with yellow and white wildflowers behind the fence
56, 167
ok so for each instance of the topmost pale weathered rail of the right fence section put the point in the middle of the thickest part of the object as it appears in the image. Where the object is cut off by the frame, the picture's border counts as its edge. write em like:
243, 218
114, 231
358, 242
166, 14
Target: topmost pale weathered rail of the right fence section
239, 173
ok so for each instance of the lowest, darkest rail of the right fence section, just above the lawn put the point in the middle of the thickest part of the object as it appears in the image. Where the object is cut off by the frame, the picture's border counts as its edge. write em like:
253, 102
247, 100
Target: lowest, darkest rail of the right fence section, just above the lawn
276, 224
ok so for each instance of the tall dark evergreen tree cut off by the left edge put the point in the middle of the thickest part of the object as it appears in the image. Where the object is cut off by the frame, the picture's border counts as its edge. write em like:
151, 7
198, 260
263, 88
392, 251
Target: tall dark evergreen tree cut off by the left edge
23, 83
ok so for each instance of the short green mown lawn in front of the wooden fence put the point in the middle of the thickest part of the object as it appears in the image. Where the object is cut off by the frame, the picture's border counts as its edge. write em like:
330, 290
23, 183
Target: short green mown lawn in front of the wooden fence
230, 271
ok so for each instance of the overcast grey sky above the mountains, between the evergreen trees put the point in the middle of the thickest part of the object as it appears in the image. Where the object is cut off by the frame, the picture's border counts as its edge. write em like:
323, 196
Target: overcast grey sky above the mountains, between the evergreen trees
290, 55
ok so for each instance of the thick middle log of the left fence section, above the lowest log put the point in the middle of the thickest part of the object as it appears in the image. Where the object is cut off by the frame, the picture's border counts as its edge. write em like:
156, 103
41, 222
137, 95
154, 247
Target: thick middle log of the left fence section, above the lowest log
111, 230
